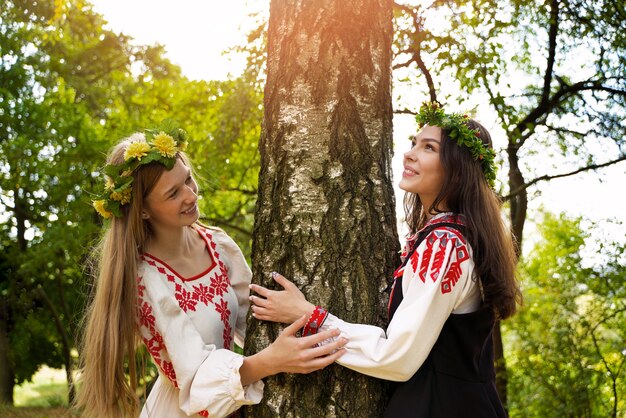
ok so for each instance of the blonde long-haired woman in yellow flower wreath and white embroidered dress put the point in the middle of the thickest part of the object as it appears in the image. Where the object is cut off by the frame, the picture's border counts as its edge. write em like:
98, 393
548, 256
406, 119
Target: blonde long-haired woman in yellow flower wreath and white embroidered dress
181, 288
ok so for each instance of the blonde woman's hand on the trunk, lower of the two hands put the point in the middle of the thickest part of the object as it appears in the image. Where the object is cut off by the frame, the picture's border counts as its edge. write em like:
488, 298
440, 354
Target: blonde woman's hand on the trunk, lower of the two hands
290, 354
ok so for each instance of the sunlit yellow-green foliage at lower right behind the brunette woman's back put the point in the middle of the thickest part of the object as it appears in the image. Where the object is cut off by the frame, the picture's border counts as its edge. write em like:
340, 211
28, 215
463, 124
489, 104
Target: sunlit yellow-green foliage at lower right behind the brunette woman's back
566, 347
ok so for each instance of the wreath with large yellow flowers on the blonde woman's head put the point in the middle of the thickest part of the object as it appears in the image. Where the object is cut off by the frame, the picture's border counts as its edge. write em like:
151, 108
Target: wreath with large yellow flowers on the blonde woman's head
161, 145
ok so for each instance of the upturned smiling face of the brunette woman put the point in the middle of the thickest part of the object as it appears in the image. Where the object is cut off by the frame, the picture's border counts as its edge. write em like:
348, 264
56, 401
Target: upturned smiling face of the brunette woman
423, 171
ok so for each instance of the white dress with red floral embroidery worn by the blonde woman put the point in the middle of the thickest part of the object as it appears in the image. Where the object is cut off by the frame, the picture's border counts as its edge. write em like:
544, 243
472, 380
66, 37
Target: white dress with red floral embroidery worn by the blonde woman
189, 326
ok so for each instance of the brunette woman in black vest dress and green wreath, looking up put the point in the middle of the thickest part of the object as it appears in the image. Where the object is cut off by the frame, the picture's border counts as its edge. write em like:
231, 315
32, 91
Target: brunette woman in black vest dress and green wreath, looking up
456, 280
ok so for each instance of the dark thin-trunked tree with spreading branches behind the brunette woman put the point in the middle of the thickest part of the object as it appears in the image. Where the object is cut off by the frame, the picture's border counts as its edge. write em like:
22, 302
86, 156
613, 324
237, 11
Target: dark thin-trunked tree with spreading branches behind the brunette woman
553, 72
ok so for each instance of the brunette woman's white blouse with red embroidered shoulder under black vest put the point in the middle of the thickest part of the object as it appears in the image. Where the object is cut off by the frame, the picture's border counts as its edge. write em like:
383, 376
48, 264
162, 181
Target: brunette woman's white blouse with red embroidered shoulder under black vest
436, 282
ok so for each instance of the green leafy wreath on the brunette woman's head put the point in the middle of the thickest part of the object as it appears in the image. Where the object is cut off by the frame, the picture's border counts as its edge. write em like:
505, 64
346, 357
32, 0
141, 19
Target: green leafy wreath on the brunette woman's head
431, 113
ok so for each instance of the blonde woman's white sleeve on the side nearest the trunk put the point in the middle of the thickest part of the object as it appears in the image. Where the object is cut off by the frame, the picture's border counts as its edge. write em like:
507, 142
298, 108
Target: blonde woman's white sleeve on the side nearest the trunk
240, 276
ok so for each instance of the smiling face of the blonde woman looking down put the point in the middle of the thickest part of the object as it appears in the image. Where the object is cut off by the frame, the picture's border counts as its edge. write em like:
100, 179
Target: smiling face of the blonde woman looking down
172, 203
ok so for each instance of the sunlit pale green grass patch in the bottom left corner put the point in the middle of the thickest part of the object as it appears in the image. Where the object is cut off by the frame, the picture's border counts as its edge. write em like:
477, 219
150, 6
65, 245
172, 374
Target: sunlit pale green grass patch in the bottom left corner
44, 397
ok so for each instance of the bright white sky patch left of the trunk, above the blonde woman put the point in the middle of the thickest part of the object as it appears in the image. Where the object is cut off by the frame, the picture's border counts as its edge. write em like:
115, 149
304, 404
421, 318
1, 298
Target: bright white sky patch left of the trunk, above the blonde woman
194, 32
